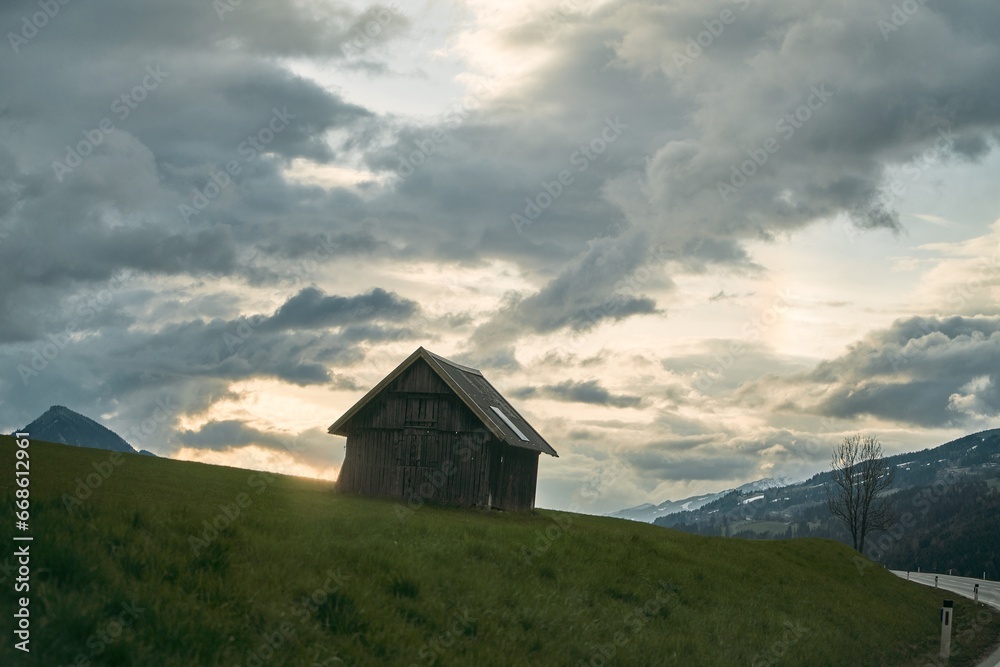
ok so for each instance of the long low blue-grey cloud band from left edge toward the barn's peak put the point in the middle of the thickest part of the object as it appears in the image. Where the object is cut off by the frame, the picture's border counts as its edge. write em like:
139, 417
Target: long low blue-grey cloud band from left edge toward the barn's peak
190, 364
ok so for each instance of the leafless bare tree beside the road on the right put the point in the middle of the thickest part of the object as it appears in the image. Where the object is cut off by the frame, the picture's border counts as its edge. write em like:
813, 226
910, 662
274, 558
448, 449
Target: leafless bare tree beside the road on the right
860, 475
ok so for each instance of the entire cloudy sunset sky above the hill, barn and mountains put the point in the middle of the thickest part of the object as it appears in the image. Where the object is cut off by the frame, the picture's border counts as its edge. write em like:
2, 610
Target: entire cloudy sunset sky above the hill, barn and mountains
696, 243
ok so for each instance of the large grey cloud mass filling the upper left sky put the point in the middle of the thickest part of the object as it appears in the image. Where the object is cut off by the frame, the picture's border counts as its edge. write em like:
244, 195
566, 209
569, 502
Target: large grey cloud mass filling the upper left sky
107, 136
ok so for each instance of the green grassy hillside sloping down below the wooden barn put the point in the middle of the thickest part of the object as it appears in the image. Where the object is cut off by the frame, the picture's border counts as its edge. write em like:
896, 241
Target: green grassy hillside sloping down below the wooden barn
127, 568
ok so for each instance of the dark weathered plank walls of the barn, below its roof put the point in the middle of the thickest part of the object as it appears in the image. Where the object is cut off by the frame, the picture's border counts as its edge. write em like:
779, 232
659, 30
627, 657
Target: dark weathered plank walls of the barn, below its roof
416, 439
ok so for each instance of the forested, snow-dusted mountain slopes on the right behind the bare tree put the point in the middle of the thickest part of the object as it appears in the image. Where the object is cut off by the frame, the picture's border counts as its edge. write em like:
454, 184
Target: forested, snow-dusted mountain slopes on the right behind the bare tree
946, 499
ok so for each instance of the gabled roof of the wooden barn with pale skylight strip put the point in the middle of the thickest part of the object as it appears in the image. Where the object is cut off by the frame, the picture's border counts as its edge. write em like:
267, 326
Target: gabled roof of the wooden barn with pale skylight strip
492, 409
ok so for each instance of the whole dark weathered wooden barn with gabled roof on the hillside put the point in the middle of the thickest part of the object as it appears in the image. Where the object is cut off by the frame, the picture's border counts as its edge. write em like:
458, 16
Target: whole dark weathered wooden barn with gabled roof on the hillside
436, 431
